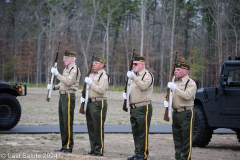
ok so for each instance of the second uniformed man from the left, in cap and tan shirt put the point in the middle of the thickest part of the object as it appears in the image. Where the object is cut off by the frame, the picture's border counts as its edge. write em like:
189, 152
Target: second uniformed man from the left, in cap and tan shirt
96, 110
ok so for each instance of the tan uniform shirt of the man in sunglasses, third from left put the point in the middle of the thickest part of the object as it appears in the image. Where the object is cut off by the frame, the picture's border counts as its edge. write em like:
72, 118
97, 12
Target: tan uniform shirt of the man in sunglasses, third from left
141, 90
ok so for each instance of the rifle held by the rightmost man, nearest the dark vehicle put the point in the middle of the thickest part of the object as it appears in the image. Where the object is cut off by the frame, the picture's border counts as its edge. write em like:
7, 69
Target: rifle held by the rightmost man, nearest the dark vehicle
168, 110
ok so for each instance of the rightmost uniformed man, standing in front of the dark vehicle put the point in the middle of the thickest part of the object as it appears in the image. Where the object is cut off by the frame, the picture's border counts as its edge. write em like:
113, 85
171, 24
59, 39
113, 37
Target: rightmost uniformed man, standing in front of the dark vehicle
184, 91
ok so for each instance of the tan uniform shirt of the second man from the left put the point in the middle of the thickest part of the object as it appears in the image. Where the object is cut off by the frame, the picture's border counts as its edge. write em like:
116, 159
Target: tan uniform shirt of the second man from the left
98, 87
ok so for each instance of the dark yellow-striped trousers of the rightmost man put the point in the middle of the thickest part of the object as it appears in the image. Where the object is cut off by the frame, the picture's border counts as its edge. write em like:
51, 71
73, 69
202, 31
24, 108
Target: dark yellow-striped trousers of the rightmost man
182, 129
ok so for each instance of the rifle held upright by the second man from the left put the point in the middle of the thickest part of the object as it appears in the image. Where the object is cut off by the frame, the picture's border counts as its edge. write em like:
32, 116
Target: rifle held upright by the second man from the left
86, 89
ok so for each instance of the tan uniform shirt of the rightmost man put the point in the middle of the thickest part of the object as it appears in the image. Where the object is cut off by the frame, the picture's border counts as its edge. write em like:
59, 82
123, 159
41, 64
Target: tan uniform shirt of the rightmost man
183, 98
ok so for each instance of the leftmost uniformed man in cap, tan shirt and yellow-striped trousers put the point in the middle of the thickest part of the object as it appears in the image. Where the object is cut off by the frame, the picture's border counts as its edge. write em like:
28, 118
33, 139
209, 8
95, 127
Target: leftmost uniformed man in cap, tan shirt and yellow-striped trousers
67, 87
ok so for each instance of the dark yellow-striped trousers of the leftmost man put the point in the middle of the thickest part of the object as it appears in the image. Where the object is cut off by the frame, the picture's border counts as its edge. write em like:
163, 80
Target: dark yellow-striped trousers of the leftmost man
66, 117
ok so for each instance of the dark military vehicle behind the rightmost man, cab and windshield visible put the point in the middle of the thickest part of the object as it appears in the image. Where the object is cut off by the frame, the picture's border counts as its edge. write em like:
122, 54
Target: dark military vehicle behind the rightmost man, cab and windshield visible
218, 106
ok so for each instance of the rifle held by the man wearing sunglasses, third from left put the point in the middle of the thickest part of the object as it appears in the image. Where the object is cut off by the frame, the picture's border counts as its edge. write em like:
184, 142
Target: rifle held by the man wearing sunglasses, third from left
126, 89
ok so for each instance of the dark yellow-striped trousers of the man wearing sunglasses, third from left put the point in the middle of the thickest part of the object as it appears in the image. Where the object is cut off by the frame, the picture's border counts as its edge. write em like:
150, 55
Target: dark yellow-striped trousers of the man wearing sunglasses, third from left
140, 122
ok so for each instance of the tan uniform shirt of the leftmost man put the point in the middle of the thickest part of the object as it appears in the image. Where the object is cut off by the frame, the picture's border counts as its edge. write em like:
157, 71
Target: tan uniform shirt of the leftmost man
68, 80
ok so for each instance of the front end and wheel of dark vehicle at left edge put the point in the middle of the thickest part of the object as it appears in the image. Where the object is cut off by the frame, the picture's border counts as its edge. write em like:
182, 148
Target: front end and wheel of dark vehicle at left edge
10, 108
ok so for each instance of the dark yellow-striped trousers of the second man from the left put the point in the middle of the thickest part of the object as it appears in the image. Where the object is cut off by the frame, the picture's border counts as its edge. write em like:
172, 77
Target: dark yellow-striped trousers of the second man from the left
95, 115
